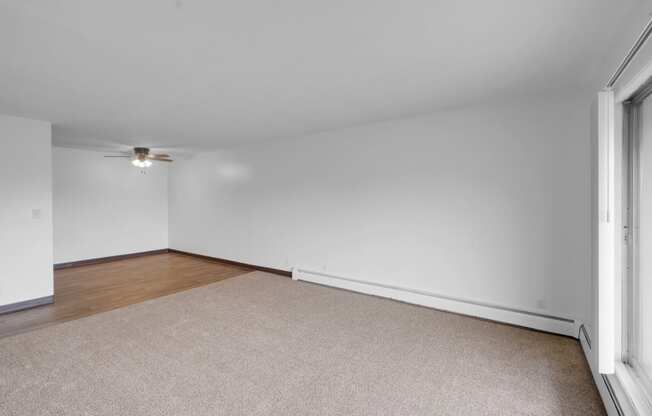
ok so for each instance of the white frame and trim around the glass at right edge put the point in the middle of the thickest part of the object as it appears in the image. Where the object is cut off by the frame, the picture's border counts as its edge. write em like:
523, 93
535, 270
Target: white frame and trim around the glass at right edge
615, 314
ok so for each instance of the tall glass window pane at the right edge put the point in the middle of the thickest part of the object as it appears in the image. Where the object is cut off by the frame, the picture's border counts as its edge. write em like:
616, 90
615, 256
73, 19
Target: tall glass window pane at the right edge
636, 339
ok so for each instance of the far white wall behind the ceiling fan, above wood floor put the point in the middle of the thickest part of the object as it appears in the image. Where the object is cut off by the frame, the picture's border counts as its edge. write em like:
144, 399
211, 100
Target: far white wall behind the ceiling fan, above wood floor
106, 207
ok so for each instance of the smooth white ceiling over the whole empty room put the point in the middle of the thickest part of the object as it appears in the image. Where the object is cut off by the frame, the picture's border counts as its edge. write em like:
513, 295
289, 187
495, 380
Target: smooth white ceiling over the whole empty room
202, 73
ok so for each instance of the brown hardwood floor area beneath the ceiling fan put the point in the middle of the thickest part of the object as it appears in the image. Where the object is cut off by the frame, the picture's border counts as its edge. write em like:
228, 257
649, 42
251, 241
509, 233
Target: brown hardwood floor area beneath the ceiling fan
87, 290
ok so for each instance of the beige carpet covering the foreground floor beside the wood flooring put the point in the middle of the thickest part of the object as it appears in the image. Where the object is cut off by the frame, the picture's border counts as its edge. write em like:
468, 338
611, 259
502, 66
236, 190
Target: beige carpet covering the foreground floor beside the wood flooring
261, 344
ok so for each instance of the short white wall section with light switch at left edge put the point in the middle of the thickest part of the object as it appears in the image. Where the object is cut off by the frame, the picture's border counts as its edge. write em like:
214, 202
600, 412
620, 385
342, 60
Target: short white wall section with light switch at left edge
25, 185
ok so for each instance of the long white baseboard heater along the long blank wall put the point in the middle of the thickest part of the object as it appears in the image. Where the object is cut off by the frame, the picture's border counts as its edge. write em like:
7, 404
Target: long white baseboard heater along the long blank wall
494, 312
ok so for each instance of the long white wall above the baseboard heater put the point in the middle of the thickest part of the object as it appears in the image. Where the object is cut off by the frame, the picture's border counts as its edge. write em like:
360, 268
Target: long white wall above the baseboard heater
489, 203
